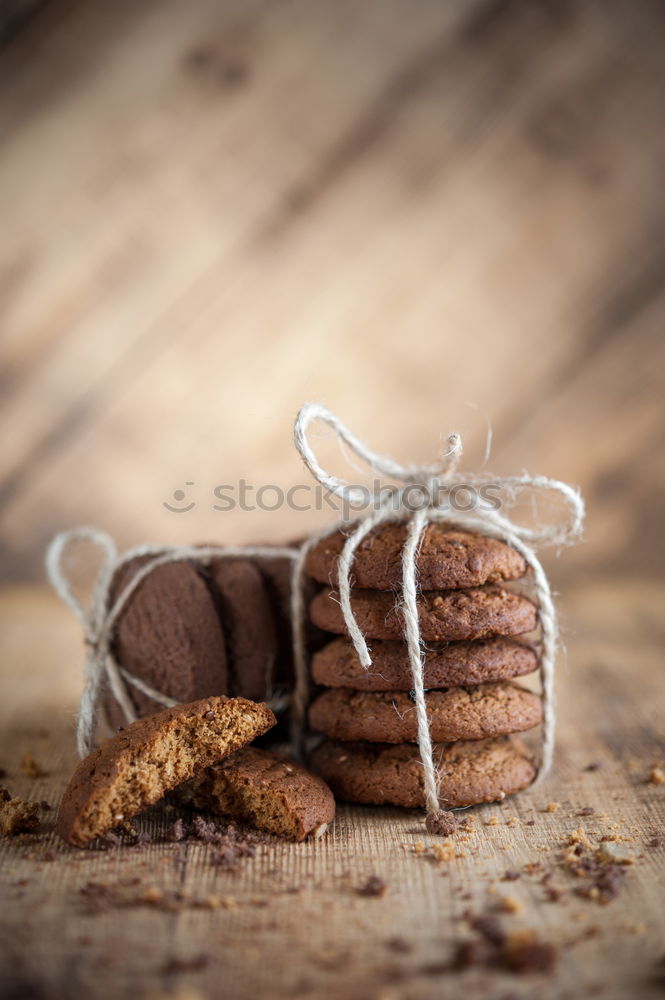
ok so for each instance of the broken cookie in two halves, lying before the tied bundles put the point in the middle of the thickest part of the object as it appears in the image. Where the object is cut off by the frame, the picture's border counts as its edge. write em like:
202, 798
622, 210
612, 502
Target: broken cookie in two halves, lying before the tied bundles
201, 752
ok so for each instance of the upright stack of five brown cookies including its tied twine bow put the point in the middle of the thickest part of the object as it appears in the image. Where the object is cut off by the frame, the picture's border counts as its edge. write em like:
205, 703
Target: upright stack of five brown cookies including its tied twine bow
425, 716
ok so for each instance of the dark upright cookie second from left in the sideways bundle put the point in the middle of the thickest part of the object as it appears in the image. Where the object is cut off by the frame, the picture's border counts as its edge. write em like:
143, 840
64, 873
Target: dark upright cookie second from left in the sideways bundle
248, 625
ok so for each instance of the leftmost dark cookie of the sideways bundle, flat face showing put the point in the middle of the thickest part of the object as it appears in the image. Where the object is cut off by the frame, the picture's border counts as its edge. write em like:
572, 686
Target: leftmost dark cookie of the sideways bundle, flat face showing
169, 635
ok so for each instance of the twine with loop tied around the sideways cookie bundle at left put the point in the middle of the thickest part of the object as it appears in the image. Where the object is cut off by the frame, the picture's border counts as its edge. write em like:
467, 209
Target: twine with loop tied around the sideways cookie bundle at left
99, 620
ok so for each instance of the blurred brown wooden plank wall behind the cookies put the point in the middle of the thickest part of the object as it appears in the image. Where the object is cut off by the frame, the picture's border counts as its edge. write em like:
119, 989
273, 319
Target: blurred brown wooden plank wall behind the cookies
212, 212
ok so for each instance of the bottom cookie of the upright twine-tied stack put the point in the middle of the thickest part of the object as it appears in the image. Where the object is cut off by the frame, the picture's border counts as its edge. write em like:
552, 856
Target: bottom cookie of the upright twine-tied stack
469, 773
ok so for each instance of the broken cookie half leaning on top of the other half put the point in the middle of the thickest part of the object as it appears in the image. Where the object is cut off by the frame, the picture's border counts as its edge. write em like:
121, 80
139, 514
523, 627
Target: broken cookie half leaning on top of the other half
139, 764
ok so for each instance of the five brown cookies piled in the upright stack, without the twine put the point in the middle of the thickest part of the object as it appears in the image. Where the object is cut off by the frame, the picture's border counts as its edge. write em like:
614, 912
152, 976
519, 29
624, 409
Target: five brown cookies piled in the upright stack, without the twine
472, 627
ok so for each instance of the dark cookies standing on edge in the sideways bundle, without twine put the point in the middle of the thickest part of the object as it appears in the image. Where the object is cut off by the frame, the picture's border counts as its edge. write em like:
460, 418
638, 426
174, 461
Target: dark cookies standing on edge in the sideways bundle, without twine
191, 631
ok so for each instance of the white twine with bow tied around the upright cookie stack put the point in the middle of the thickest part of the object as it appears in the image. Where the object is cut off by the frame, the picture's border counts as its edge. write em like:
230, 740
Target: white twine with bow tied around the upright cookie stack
429, 483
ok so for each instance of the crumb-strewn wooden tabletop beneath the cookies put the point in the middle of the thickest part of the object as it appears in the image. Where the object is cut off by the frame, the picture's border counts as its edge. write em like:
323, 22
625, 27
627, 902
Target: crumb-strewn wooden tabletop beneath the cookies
292, 921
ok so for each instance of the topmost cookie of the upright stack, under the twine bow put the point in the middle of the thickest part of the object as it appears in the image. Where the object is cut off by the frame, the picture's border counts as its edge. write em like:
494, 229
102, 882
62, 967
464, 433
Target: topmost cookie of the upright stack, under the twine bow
446, 558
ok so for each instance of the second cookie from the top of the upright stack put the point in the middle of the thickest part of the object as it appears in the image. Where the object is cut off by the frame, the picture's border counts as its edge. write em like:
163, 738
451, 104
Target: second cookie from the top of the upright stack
447, 614
